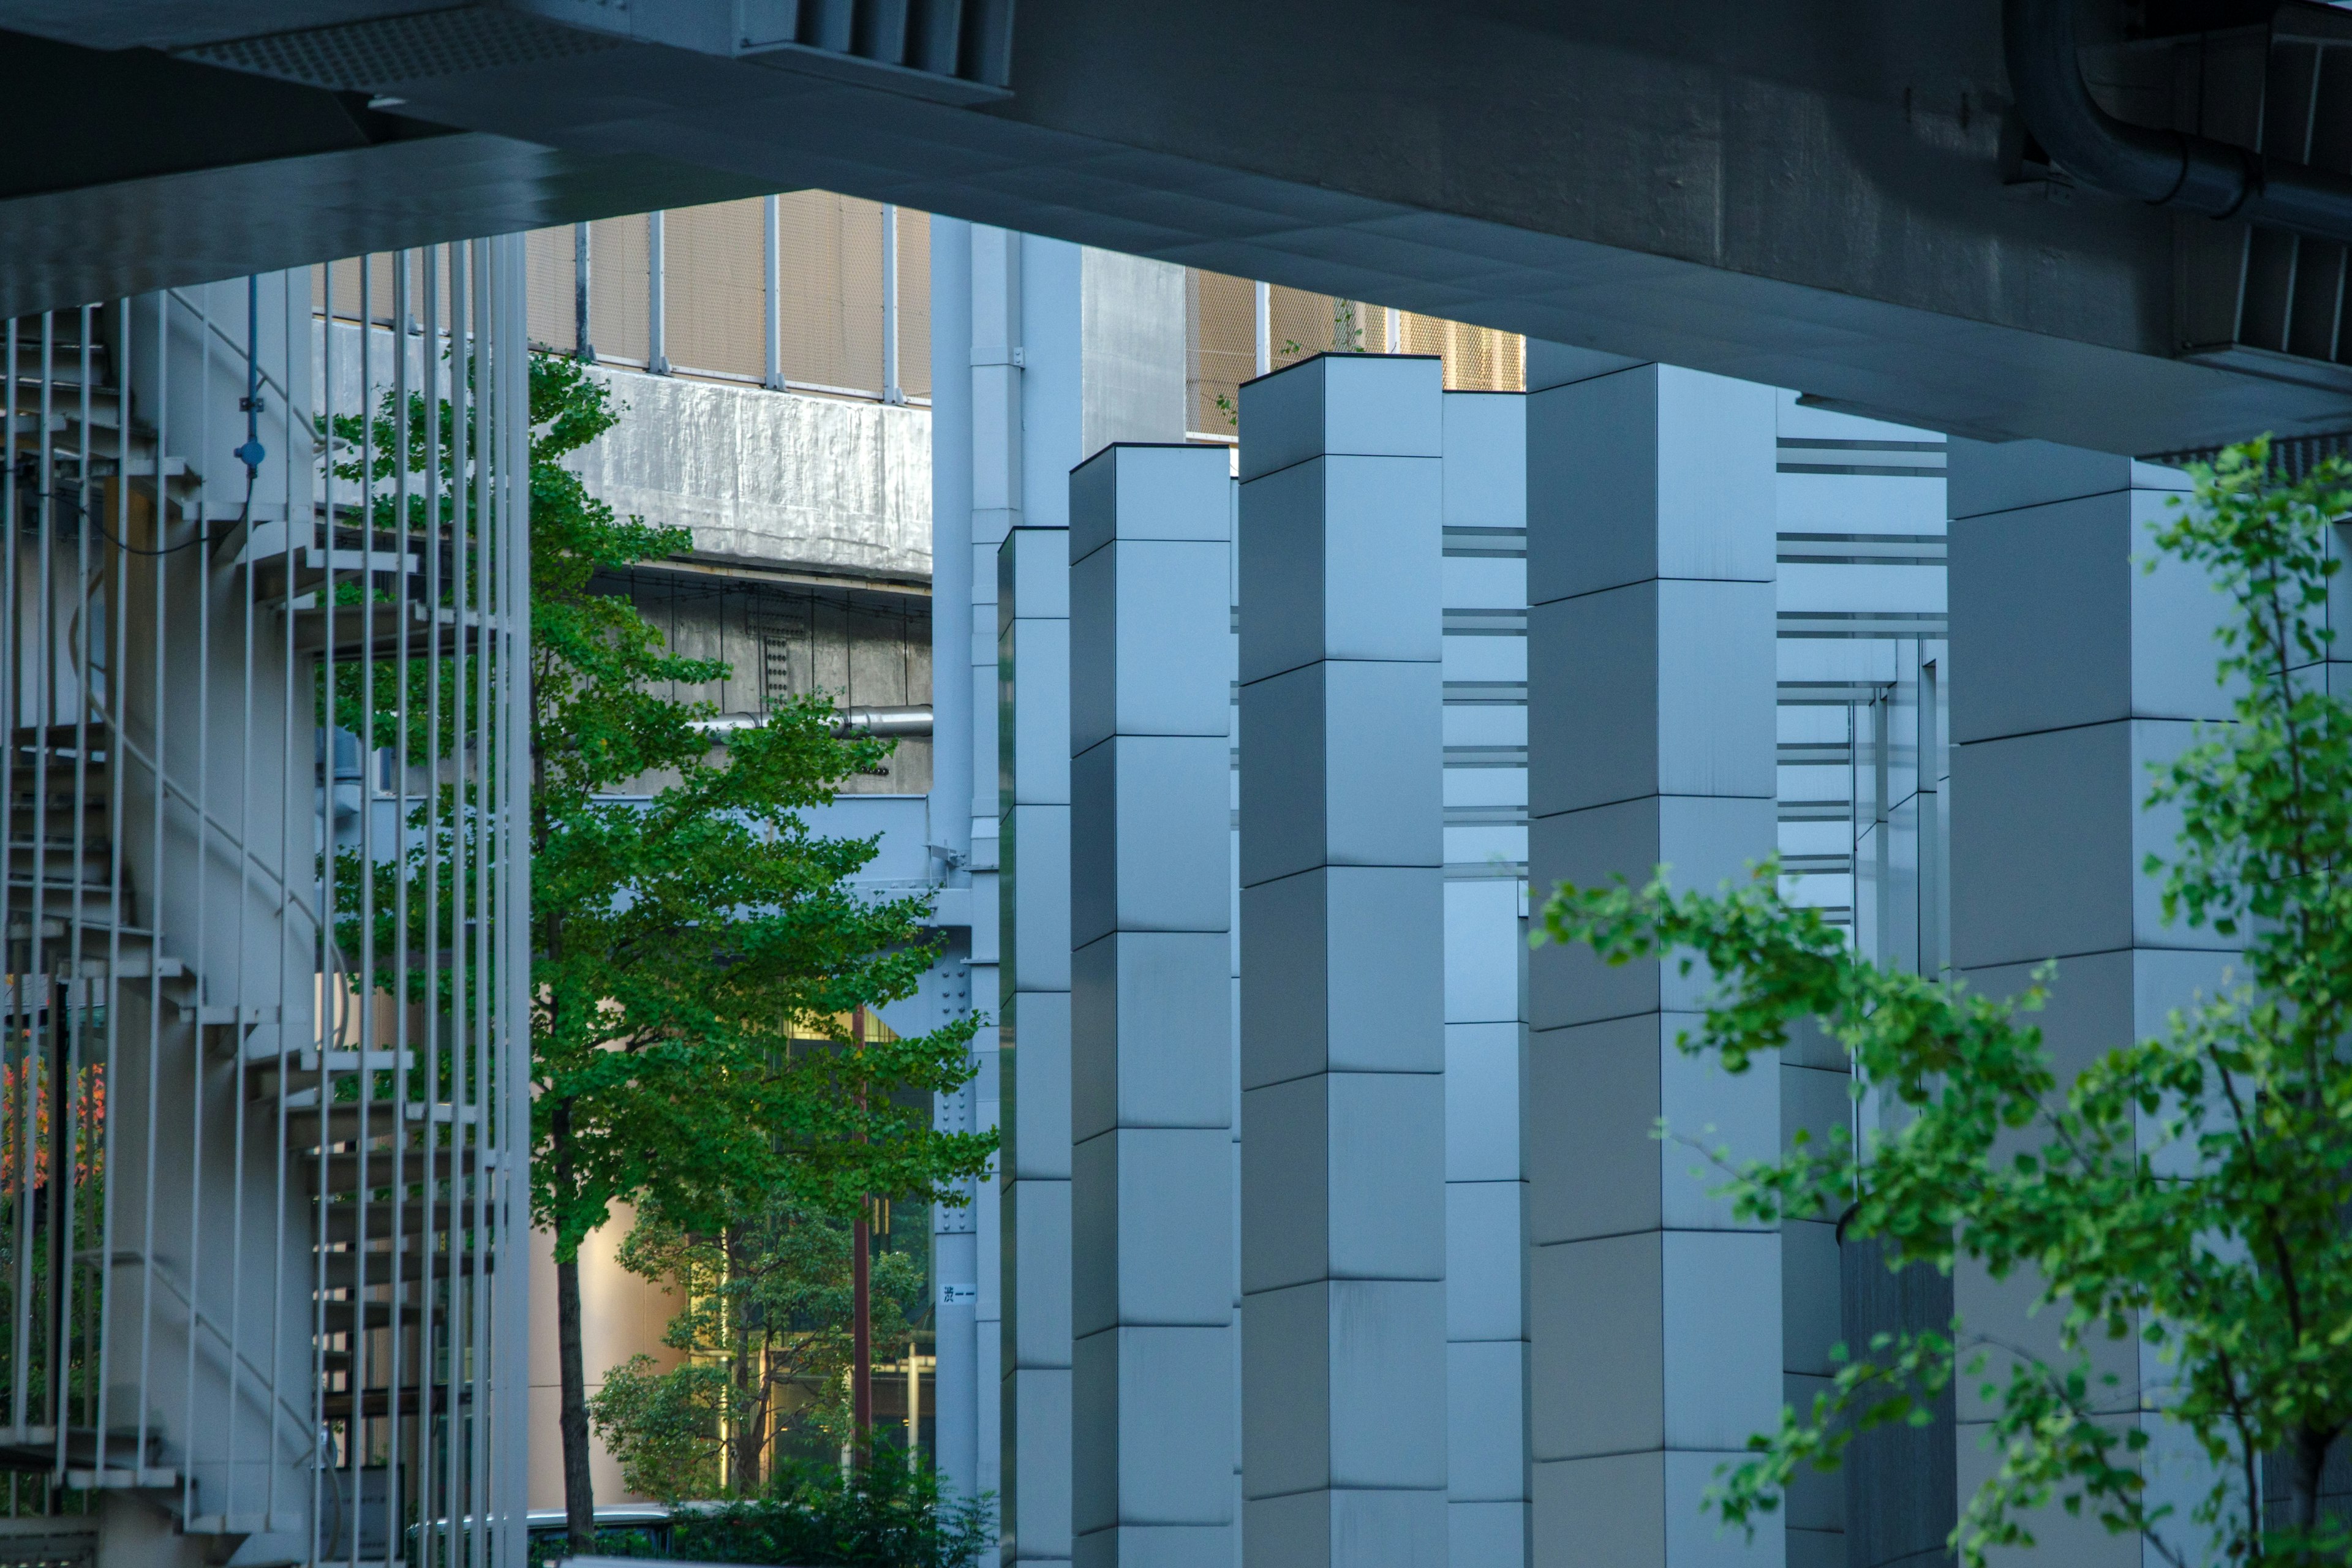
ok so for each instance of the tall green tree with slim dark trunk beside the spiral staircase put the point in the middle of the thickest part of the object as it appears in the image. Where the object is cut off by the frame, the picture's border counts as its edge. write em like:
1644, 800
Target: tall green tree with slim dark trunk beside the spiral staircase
693, 944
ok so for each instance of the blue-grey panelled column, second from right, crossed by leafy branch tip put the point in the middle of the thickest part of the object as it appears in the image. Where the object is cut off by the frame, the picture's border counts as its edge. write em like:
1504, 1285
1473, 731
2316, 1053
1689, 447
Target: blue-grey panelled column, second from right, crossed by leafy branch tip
1655, 1318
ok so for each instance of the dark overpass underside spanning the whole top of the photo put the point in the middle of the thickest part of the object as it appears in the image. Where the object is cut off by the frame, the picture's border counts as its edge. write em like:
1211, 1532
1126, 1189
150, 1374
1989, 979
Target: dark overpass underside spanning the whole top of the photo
1819, 196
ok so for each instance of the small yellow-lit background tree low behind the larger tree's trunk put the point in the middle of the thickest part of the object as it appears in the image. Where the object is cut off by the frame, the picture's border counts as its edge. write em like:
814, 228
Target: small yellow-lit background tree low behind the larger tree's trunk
768, 1336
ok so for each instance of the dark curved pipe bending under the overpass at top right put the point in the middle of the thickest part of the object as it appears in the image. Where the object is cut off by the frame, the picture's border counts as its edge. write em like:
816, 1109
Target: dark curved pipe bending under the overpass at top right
2153, 166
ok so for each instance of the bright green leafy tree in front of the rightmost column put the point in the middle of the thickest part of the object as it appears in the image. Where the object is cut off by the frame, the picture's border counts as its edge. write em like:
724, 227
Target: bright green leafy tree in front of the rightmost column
2189, 1188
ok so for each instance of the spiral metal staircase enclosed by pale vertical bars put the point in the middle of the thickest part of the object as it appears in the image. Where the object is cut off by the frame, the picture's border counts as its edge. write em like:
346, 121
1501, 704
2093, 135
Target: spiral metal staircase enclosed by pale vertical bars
262, 1132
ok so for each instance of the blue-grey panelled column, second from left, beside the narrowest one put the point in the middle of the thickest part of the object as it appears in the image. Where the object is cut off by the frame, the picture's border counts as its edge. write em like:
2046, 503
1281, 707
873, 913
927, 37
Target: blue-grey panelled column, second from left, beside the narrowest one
1151, 1012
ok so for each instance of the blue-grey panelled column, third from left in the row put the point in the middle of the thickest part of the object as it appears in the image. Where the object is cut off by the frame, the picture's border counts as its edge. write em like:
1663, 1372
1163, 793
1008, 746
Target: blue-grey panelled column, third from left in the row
1344, 1226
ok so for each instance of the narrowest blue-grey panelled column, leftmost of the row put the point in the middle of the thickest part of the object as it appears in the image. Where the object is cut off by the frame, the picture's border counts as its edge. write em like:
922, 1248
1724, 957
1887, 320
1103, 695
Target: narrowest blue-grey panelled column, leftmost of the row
1034, 1031
